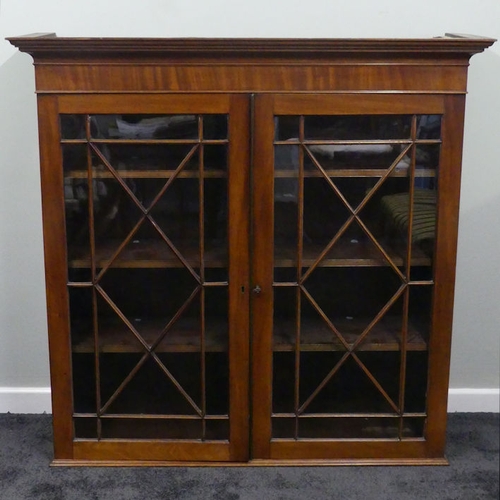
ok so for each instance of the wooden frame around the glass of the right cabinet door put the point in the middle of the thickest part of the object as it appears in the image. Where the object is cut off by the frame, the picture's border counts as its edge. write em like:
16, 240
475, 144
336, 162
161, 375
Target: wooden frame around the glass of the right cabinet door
431, 449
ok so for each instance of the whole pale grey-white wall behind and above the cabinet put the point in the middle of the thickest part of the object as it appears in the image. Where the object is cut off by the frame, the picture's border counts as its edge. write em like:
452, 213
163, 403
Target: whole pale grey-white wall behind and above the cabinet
23, 351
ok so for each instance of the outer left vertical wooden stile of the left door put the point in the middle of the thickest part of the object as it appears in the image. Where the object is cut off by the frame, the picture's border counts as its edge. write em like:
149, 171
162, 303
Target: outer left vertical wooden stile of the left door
55, 275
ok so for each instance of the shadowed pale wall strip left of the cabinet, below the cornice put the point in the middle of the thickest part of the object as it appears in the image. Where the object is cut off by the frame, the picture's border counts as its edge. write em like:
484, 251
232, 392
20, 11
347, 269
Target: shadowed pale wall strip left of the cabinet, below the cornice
23, 353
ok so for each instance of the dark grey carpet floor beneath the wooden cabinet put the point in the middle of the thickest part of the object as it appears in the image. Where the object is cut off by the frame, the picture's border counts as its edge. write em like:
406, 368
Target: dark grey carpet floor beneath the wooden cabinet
473, 473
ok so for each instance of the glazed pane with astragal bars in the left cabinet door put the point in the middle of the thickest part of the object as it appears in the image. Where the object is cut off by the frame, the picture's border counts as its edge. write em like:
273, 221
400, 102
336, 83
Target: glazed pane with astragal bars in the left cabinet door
147, 218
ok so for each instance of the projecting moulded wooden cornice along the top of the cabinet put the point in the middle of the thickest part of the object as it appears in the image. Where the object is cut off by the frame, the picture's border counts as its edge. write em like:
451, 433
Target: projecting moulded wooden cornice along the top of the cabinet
49, 45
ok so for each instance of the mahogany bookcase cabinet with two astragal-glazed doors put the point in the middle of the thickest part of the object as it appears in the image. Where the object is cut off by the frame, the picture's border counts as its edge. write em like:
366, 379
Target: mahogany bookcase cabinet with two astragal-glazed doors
250, 246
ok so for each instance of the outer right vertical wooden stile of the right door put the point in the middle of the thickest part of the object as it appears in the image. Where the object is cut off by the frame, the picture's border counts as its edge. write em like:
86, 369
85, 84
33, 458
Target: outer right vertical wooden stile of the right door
445, 261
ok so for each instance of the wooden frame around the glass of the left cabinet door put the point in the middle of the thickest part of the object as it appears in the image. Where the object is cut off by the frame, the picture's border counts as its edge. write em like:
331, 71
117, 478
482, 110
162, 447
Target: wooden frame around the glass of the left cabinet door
66, 448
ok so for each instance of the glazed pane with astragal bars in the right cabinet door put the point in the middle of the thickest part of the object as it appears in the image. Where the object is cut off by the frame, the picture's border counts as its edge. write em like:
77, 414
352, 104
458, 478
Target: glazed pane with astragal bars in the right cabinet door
354, 231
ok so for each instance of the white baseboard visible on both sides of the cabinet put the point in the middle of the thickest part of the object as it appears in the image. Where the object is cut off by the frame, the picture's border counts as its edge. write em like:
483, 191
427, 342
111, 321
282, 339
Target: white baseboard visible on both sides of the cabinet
37, 400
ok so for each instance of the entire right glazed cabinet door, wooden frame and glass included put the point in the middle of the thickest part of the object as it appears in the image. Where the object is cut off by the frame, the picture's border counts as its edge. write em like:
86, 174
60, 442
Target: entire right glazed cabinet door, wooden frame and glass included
347, 320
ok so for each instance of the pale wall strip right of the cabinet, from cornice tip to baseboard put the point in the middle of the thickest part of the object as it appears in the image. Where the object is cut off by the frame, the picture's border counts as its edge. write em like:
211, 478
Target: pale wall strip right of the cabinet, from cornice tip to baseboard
475, 350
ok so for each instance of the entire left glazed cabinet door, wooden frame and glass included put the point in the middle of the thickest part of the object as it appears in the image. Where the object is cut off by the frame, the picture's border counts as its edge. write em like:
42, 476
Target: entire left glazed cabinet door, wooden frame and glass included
152, 200
